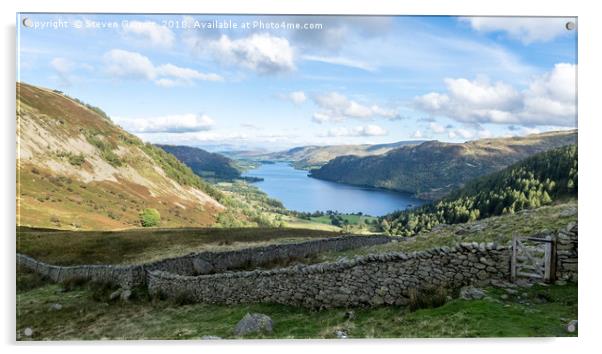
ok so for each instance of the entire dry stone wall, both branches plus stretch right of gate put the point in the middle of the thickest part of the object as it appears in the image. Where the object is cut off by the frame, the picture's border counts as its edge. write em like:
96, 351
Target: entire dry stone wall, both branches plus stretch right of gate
369, 280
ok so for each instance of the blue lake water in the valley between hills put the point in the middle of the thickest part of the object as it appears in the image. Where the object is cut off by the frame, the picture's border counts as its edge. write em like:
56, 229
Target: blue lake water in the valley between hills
299, 192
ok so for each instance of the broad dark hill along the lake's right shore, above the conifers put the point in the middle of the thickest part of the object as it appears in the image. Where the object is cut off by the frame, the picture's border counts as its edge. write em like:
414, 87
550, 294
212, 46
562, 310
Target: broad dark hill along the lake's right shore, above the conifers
432, 169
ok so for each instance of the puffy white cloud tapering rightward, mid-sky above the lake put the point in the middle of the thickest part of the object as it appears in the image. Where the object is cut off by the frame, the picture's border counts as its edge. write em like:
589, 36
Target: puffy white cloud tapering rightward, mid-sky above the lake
335, 107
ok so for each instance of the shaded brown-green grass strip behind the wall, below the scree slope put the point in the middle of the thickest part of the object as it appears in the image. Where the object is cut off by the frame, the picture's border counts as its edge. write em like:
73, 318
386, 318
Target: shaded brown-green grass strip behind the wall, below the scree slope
144, 245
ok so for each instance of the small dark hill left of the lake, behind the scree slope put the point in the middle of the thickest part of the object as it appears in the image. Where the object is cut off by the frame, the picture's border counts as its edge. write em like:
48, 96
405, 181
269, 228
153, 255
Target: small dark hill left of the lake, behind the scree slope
205, 164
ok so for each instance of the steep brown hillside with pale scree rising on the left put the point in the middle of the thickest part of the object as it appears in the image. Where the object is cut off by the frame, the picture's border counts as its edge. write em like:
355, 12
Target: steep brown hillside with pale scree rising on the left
77, 170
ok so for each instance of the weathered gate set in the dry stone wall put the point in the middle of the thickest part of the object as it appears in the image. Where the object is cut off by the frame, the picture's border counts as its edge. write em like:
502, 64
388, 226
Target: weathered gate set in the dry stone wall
533, 257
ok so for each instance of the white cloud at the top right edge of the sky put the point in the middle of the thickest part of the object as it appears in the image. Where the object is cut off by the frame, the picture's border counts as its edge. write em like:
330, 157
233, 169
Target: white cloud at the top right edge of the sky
524, 29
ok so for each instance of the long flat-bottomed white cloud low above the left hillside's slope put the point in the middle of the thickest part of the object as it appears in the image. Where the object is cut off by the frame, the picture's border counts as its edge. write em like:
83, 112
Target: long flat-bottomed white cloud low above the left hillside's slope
182, 123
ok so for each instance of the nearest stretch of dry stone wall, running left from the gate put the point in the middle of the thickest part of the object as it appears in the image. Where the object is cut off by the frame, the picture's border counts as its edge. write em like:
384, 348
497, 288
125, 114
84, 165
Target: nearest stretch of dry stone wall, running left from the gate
370, 280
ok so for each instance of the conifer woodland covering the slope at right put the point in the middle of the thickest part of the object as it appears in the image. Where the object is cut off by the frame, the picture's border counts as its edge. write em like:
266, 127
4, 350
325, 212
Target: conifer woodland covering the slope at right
533, 182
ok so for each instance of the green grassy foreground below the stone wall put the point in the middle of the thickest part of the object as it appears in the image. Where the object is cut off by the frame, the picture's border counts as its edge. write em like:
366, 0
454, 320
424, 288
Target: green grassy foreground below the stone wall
537, 311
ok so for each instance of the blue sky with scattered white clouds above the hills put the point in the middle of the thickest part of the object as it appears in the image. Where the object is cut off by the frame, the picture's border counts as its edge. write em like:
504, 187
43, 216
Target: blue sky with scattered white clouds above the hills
332, 80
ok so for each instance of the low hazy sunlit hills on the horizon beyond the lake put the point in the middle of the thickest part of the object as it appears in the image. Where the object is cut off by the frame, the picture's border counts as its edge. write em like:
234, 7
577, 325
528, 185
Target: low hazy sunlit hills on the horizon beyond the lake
308, 157
